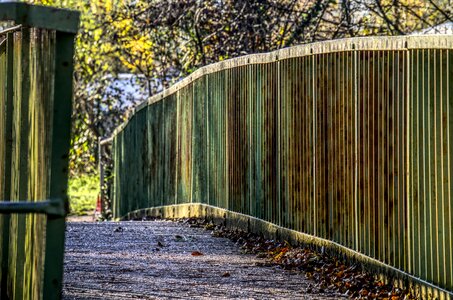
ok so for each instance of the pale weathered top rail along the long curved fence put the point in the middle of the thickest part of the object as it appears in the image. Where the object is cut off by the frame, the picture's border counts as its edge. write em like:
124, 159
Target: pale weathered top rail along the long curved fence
381, 43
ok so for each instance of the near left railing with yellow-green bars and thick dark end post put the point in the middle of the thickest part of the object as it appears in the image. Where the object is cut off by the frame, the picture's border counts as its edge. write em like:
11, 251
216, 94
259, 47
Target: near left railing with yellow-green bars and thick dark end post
36, 66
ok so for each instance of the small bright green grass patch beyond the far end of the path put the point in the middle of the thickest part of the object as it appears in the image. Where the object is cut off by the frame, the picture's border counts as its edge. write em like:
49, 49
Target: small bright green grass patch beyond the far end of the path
83, 192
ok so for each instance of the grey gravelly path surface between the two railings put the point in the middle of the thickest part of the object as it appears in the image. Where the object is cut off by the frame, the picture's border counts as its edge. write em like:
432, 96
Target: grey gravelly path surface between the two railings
153, 260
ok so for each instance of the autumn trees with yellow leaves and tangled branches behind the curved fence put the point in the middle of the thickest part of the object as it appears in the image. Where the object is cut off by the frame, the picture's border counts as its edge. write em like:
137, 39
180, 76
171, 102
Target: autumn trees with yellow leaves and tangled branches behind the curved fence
163, 41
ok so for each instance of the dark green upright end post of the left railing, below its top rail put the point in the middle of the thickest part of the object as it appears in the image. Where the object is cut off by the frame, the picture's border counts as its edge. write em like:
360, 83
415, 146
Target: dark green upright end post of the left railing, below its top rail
53, 263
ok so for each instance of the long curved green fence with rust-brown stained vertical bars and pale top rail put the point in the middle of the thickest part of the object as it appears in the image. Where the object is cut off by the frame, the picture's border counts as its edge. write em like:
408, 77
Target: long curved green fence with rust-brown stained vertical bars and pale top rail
349, 141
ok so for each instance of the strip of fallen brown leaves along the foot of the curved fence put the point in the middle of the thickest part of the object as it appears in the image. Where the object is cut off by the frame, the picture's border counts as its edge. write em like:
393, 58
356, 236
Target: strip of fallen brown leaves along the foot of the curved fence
328, 272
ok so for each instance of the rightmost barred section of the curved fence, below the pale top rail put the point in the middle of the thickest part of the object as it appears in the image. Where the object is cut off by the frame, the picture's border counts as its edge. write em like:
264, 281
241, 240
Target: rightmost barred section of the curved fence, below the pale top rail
429, 212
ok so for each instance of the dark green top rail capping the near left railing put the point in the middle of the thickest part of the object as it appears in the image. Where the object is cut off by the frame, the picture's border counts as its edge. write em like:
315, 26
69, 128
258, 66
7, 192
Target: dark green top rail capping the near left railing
40, 16
